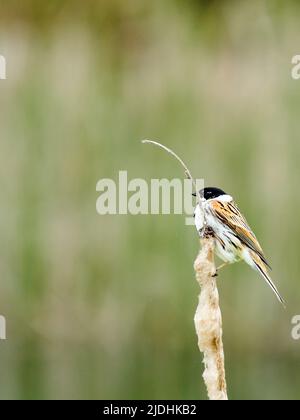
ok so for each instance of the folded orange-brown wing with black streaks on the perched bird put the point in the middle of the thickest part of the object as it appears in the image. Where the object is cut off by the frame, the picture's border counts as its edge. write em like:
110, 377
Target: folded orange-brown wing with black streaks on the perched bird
229, 214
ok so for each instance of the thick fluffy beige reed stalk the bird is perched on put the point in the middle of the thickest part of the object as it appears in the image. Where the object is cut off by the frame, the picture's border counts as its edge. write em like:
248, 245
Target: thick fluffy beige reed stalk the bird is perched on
208, 322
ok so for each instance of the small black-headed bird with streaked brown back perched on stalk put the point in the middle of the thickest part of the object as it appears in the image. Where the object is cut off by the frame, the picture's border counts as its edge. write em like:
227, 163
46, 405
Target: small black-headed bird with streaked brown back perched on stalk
234, 240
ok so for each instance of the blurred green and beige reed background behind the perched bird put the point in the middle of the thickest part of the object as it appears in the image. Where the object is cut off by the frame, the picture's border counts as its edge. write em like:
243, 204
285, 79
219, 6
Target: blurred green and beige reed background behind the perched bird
103, 306
